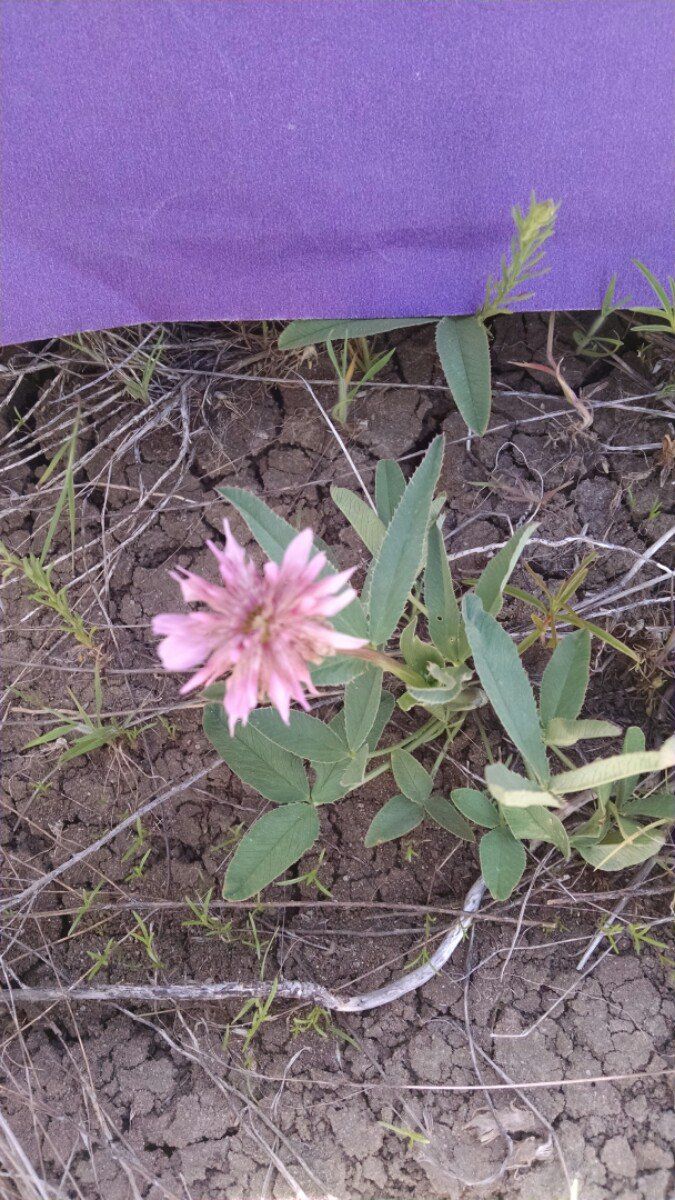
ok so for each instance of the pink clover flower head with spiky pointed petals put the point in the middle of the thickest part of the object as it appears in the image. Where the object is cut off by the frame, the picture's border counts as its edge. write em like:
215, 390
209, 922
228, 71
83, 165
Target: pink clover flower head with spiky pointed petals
261, 629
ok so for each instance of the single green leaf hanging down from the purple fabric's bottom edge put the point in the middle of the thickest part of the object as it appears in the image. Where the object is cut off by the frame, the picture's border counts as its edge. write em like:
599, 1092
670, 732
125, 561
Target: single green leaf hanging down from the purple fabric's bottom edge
465, 357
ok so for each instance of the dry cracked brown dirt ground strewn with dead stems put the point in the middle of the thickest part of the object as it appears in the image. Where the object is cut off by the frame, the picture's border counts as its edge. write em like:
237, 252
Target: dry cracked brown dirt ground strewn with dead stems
176, 1101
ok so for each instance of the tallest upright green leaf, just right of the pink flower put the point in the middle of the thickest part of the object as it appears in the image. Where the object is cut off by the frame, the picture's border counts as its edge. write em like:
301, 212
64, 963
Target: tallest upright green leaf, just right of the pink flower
404, 548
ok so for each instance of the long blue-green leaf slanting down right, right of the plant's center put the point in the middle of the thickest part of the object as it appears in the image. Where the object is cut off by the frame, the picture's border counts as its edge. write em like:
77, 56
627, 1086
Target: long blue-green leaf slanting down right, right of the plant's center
503, 675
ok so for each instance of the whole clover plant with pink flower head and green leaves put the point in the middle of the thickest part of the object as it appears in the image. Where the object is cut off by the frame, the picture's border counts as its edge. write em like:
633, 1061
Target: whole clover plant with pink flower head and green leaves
447, 658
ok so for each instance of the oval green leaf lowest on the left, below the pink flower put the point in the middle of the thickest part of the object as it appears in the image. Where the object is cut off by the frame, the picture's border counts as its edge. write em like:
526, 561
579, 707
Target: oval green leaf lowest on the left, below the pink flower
272, 845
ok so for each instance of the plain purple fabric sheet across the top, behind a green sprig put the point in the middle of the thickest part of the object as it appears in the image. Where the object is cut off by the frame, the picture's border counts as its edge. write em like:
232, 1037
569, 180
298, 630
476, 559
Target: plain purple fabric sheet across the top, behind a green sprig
183, 160
